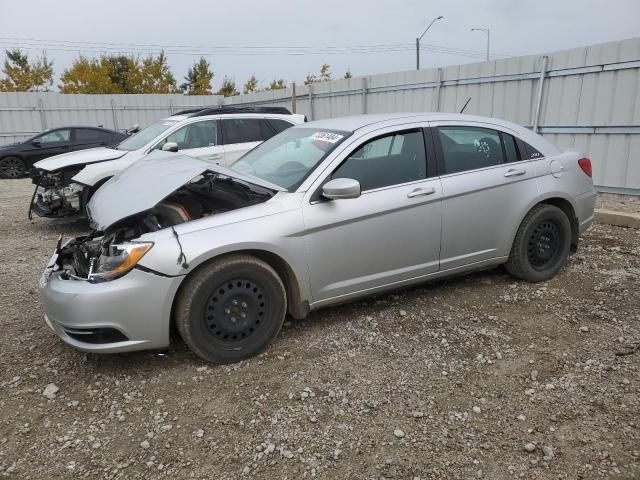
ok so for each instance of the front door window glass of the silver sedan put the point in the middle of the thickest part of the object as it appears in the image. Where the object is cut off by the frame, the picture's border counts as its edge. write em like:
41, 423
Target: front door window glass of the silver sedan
385, 161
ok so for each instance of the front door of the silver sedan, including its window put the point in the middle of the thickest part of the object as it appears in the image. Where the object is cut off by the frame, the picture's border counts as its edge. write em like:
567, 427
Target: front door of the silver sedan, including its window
388, 235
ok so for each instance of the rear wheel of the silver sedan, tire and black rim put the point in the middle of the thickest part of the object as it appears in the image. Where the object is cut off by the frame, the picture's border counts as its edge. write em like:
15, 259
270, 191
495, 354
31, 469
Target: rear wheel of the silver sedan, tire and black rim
541, 245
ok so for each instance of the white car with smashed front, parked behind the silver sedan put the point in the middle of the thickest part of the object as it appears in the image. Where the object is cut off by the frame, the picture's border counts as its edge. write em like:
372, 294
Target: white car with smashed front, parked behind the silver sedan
65, 183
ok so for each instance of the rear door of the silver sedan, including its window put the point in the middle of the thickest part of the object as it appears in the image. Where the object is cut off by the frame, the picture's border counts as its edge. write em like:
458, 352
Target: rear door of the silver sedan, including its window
486, 188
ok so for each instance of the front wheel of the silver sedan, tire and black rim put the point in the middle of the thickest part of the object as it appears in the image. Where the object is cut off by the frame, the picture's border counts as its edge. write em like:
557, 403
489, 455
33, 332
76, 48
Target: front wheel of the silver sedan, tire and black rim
231, 309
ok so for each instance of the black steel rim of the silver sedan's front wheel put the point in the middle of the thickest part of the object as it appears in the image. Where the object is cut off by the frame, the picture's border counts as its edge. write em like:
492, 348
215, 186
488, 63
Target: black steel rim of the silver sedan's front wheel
235, 311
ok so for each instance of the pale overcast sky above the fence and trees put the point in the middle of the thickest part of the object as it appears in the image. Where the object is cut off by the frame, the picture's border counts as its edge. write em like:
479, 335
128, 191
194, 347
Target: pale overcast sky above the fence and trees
188, 28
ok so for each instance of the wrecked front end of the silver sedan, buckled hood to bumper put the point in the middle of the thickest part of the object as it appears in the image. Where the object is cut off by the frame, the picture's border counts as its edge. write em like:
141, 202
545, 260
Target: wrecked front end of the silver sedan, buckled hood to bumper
96, 294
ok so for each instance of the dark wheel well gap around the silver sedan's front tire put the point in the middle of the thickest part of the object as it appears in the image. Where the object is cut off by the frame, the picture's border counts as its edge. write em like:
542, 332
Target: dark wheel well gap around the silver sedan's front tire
297, 307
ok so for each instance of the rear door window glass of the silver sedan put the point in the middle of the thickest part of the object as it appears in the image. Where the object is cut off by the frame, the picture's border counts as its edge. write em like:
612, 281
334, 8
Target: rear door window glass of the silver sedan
469, 148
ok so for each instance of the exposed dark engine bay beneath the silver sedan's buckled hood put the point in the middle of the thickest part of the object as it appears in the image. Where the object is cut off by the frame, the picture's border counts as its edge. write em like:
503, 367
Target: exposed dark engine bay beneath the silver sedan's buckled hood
206, 195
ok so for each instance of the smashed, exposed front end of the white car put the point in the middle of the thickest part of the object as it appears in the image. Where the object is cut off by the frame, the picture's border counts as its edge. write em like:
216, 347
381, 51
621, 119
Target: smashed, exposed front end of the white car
56, 195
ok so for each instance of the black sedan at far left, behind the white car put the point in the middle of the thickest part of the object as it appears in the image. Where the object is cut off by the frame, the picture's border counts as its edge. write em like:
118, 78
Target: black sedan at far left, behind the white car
18, 158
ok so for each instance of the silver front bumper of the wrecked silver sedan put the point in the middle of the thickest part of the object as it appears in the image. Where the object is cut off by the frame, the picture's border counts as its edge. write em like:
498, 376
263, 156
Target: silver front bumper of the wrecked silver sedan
130, 313
